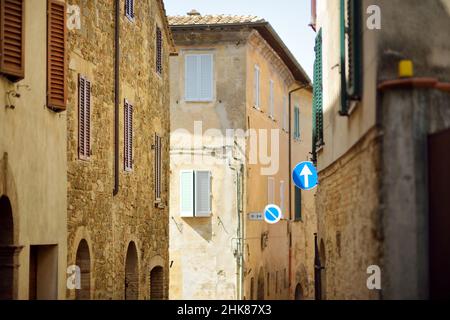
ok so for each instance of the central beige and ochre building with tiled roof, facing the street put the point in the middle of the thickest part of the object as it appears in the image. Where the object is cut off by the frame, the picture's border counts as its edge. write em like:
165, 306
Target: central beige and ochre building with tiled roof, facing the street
217, 253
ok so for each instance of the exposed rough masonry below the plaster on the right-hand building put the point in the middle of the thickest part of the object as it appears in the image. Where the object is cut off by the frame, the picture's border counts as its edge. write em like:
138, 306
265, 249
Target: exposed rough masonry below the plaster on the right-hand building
349, 221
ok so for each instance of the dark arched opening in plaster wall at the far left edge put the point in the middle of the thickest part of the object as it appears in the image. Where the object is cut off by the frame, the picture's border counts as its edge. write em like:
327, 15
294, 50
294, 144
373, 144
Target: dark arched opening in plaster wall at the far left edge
7, 250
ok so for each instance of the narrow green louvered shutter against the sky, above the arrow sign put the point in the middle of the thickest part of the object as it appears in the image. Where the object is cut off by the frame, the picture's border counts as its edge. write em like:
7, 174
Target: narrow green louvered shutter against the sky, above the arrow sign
317, 97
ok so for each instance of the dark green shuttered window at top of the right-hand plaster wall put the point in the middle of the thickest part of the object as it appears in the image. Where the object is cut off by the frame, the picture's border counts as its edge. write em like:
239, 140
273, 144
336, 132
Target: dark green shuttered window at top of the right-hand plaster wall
351, 49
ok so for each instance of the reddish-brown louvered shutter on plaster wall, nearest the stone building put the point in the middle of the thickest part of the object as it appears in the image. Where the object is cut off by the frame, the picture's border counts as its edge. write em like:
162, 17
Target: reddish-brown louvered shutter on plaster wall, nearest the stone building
56, 55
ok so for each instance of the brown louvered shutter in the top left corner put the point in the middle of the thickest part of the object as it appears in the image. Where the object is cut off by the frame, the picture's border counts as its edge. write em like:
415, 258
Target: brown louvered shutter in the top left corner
12, 39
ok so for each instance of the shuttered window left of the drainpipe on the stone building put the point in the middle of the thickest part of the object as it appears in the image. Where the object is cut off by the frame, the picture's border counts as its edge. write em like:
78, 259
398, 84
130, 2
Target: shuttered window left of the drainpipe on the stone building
84, 118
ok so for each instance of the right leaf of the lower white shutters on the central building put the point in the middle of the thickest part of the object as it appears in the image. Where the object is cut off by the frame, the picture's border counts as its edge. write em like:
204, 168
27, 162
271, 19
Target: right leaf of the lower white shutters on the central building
202, 193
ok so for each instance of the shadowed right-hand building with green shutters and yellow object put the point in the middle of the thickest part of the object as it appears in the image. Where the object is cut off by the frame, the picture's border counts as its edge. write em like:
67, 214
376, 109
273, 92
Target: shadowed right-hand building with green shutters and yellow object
382, 127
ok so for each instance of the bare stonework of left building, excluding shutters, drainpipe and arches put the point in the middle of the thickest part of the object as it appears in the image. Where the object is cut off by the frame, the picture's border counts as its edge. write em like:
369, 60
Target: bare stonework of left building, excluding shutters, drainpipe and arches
110, 223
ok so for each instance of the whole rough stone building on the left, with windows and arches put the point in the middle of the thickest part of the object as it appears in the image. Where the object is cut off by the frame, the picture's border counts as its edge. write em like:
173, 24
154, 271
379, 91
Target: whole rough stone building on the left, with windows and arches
118, 181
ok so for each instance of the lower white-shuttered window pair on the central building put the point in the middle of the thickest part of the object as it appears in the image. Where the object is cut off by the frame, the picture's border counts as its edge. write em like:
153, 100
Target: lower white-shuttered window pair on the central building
195, 193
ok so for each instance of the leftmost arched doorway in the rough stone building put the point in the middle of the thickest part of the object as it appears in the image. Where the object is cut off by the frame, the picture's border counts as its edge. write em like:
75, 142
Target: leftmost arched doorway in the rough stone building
83, 261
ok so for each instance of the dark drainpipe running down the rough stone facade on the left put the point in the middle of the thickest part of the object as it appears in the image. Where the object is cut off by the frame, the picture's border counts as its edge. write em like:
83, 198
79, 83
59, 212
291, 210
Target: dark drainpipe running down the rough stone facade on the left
116, 96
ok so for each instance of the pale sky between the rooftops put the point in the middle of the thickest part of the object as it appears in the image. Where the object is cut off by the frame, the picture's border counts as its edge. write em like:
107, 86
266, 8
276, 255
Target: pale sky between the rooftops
290, 18
